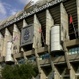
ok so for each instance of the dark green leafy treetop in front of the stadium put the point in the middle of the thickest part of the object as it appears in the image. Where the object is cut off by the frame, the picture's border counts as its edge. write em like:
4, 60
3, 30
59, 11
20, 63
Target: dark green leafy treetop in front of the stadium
24, 71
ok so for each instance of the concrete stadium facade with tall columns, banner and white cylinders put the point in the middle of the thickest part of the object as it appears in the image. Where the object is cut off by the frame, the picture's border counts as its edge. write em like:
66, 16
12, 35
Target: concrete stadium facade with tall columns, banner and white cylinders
45, 33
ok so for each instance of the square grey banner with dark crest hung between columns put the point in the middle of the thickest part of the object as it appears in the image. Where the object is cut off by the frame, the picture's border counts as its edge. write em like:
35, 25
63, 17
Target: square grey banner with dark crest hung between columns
27, 34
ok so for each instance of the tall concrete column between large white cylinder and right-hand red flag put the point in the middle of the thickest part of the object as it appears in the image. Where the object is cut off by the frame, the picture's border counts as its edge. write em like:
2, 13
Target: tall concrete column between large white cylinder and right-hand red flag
64, 31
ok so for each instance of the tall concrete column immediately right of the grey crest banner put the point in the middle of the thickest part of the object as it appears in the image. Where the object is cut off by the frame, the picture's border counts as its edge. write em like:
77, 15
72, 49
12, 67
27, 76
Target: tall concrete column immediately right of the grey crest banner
37, 26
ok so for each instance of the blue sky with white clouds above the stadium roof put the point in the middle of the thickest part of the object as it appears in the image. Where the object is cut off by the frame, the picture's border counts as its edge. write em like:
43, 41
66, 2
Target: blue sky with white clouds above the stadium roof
10, 7
